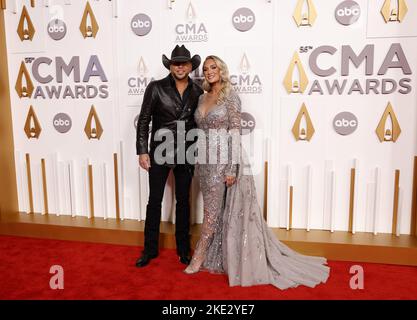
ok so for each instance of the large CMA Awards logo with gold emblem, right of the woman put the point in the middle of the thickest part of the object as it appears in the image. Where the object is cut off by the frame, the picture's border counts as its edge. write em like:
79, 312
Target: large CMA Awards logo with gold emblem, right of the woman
296, 79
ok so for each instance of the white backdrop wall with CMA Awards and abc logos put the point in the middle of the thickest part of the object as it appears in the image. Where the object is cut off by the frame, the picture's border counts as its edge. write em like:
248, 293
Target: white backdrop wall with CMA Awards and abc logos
258, 44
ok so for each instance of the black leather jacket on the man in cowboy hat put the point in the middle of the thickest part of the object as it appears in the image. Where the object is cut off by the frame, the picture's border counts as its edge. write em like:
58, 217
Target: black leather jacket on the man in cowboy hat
163, 106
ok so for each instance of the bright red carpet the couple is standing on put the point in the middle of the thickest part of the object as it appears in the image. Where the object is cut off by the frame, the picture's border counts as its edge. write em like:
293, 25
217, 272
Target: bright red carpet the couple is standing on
100, 271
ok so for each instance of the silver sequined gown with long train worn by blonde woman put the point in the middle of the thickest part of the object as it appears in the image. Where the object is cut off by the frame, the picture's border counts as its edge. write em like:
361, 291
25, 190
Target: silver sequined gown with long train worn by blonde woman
235, 238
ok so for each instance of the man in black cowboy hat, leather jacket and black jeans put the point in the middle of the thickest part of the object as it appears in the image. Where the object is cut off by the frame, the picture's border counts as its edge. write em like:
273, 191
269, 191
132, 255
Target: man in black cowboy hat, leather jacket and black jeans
169, 103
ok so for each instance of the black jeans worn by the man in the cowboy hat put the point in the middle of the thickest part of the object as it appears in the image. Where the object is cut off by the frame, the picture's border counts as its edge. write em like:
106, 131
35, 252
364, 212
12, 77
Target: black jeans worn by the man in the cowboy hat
158, 175
